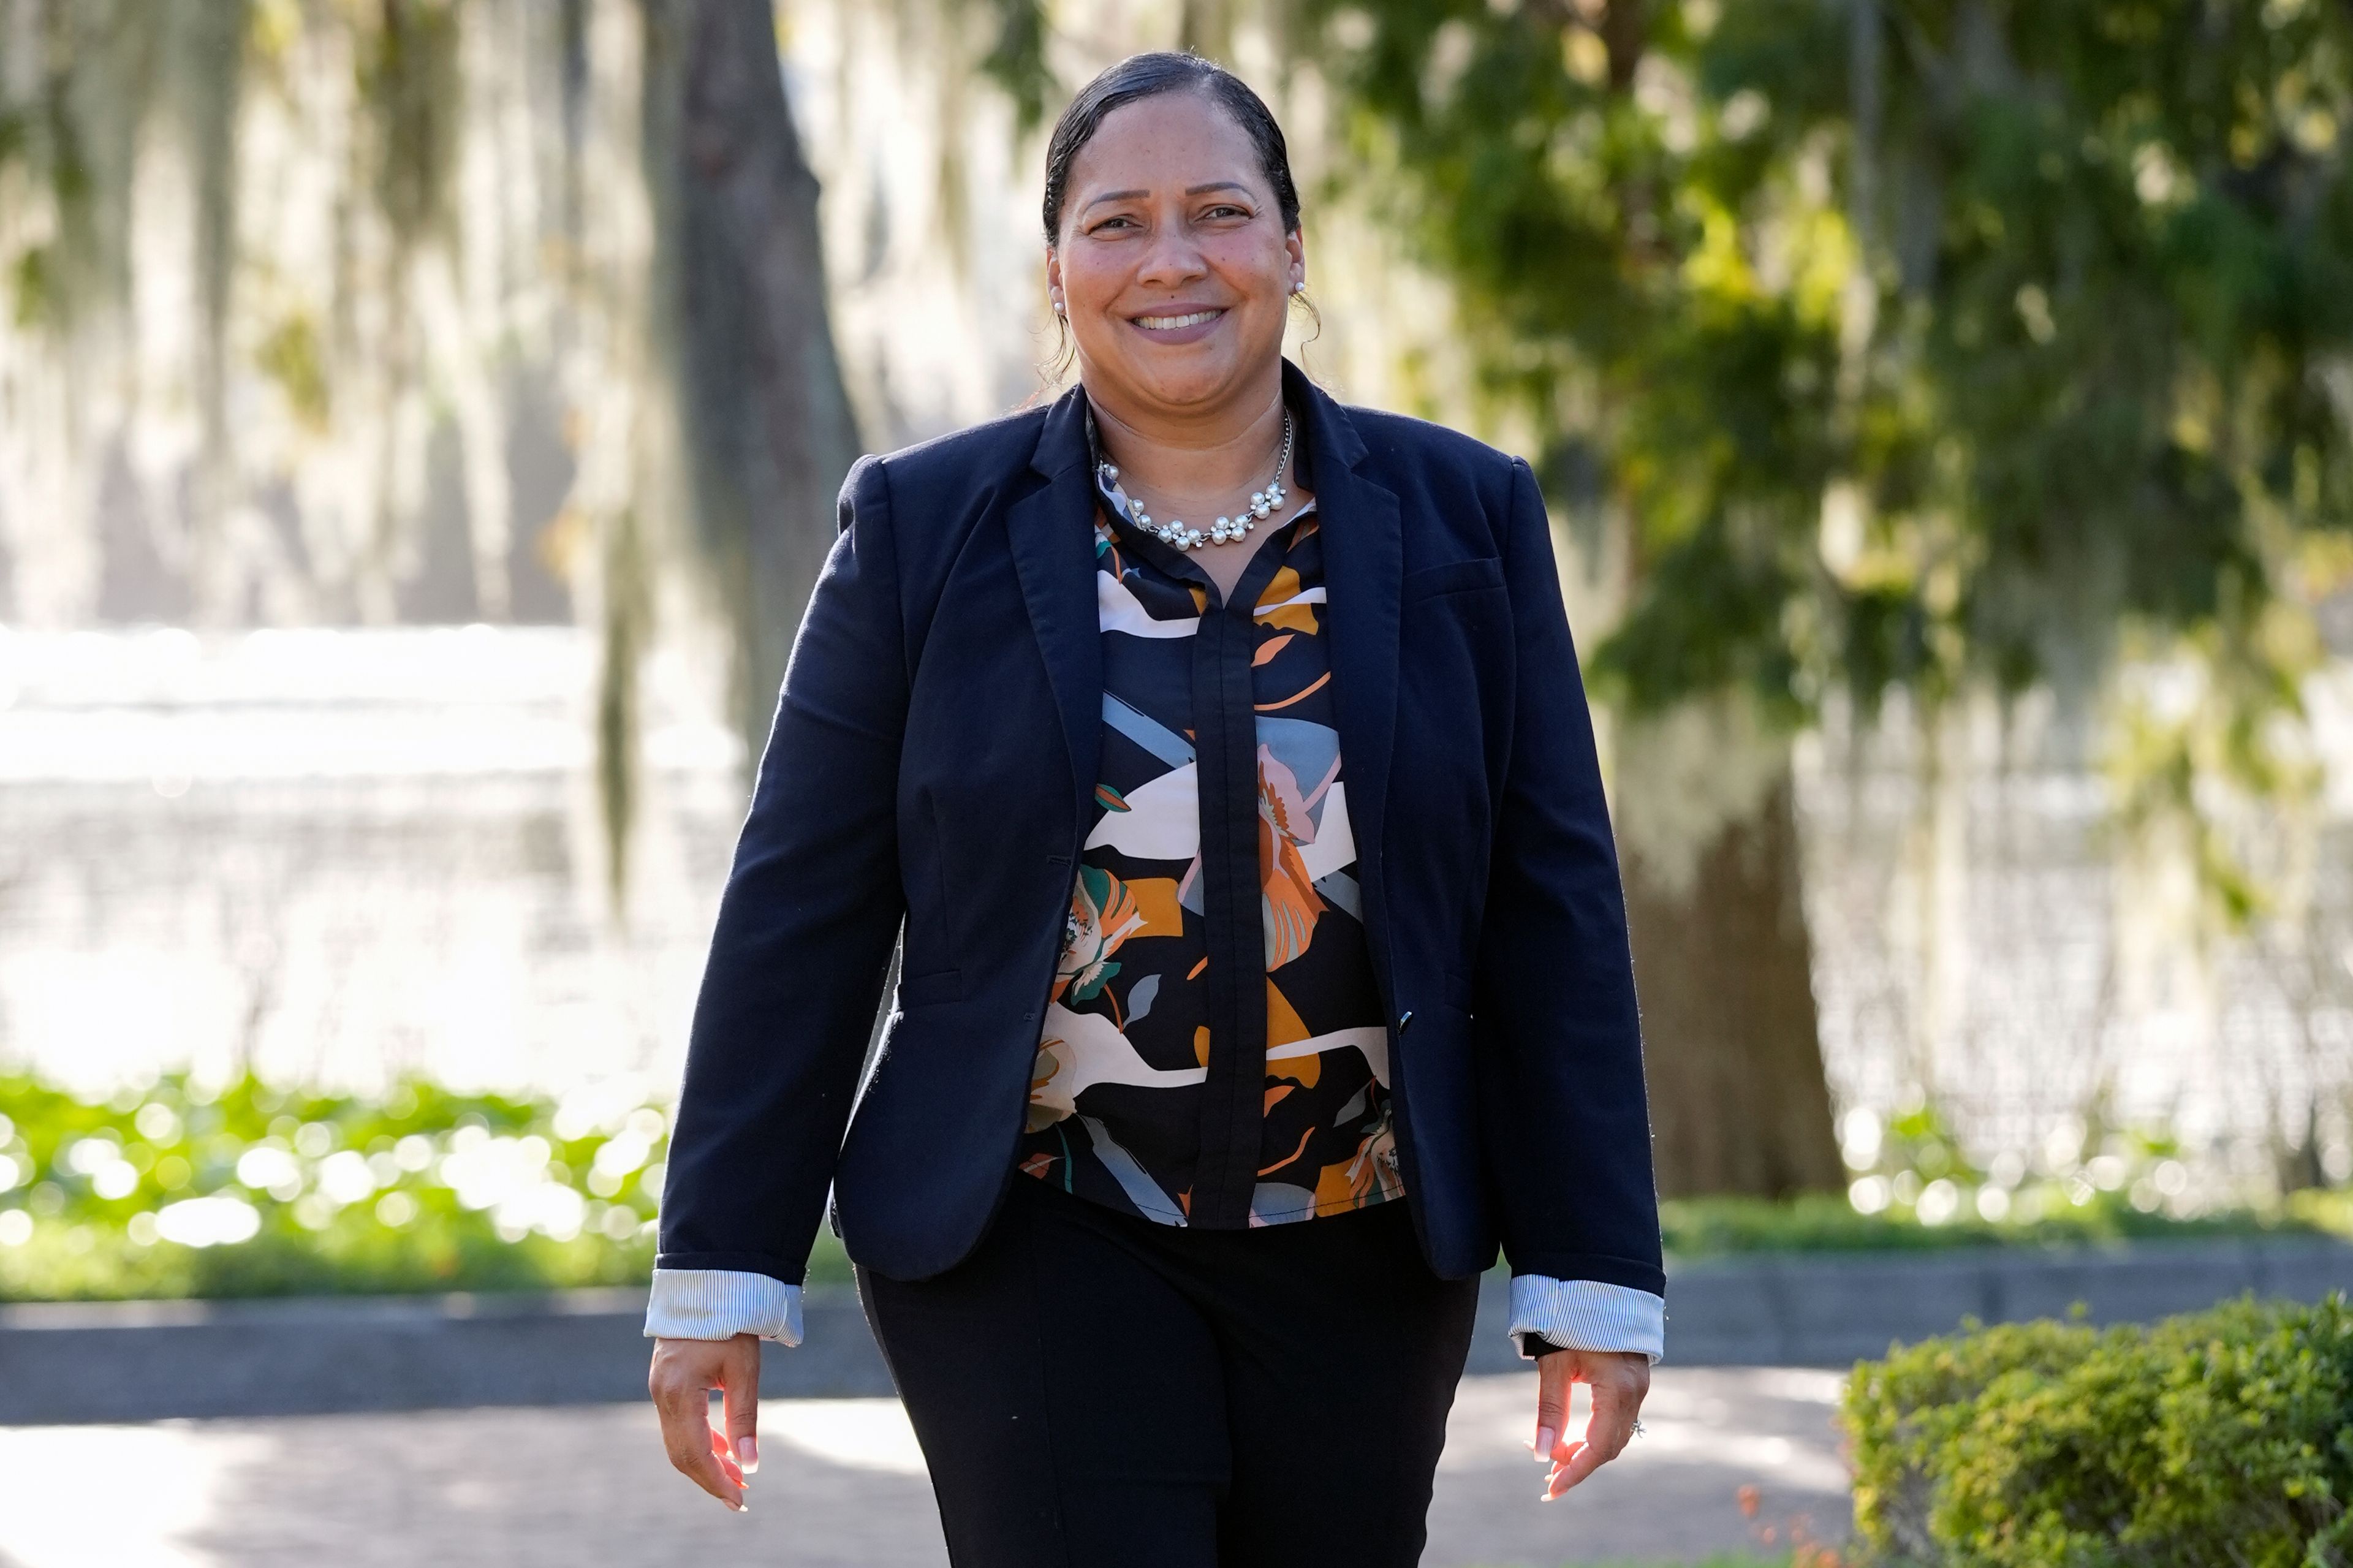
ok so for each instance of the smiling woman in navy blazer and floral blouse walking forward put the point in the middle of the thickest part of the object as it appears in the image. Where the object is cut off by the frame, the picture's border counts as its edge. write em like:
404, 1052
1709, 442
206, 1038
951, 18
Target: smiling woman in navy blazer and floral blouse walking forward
1265, 966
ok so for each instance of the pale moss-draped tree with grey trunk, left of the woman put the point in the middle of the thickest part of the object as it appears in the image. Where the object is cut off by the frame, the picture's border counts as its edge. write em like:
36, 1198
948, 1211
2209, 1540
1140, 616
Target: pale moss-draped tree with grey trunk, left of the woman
458, 213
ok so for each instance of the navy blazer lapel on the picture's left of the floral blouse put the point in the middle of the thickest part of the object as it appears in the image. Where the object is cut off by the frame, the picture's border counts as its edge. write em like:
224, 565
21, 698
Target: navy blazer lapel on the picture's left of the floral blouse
1053, 533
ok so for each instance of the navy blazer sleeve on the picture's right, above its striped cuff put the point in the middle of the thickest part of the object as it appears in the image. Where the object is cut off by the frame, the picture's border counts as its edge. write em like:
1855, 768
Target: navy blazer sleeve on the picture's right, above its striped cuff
1554, 1004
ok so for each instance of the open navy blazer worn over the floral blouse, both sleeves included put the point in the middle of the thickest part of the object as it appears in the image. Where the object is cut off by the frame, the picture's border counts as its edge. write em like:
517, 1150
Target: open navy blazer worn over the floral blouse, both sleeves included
933, 759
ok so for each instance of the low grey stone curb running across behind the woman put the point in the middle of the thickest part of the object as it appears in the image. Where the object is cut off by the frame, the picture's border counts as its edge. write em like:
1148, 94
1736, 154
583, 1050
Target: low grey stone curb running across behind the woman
131, 1362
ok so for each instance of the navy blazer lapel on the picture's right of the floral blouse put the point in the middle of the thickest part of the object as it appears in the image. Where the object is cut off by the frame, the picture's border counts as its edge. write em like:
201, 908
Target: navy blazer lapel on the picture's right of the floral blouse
1364, 576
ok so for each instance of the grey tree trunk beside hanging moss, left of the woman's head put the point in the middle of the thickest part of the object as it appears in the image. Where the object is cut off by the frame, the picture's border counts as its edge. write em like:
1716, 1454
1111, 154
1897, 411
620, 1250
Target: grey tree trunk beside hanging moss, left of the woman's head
764, 413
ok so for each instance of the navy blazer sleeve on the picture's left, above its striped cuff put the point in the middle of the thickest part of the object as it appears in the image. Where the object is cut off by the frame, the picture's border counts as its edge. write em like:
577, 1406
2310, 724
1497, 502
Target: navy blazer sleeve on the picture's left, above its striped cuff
806, 929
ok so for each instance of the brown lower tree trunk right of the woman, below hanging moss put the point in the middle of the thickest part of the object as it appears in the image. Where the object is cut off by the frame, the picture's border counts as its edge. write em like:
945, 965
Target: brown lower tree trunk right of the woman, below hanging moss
1724, 966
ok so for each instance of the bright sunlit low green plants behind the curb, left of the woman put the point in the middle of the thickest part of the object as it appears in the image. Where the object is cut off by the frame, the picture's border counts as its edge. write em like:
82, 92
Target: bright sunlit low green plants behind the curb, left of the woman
185, 1192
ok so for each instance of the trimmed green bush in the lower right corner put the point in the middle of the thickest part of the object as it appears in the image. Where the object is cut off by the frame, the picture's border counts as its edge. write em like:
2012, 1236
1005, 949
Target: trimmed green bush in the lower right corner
2220, 1437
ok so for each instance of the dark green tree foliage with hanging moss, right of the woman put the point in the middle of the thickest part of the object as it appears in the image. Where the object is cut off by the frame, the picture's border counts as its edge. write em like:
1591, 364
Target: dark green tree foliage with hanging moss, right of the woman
1933, 345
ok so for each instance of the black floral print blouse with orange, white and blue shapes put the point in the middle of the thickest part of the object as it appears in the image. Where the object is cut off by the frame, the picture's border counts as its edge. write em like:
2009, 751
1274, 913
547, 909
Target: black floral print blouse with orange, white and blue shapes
1215, 1049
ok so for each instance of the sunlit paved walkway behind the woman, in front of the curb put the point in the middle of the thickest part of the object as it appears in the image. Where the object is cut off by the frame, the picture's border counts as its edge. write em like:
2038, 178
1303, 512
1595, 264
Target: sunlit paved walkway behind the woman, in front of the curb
841, 1487
